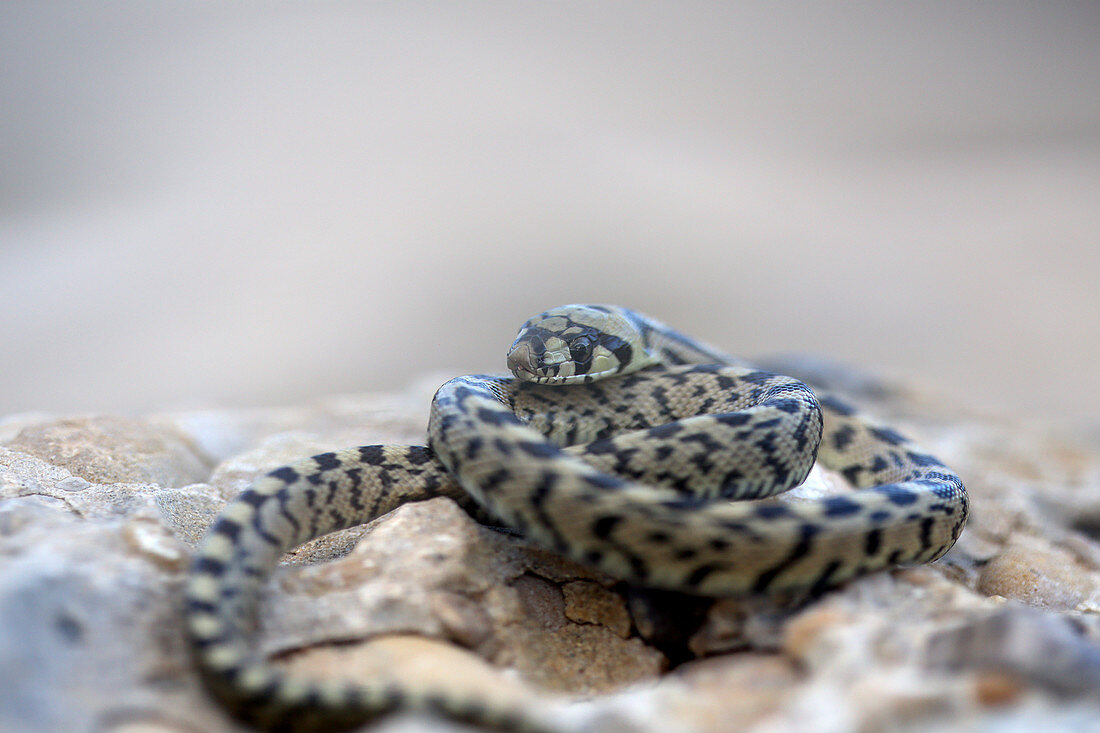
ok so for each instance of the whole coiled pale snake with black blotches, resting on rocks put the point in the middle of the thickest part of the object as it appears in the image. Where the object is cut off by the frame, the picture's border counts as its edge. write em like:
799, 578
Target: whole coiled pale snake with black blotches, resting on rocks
617, 442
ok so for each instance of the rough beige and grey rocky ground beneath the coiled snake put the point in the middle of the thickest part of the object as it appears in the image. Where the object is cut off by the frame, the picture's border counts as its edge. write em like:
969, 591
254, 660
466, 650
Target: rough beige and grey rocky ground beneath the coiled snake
100, 517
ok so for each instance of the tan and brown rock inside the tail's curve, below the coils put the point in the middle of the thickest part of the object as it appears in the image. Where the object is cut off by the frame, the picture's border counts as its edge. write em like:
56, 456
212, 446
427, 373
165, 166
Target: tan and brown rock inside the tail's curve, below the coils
432, 571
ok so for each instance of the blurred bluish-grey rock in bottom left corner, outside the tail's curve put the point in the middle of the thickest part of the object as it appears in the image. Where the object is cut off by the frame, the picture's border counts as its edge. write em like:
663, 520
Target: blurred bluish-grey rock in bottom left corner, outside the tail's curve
92, 637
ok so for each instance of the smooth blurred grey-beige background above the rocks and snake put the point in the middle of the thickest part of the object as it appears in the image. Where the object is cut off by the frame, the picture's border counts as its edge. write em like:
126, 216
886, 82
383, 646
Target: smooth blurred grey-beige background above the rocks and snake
248, 204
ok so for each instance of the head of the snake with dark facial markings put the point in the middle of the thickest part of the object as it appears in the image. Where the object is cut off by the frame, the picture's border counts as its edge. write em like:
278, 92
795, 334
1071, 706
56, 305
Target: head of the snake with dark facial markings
578, 344
